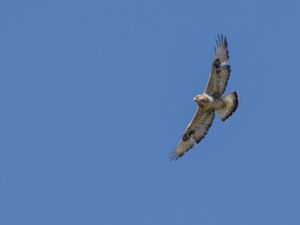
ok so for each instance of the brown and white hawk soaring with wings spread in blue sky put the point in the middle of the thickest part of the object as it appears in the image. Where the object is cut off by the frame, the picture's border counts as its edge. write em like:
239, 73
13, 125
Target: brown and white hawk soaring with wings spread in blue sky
211, 101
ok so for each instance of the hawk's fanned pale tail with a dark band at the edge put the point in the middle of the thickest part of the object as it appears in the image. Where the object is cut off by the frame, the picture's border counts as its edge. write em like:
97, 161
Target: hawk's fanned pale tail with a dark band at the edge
231, 103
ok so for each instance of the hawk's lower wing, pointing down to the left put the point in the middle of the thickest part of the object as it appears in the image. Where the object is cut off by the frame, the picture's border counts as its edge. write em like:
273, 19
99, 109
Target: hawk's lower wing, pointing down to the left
195, 132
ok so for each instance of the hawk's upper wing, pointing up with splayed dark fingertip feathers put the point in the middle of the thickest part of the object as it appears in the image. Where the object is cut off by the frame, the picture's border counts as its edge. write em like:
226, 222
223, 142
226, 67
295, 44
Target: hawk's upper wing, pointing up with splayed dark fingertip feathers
220, 69
